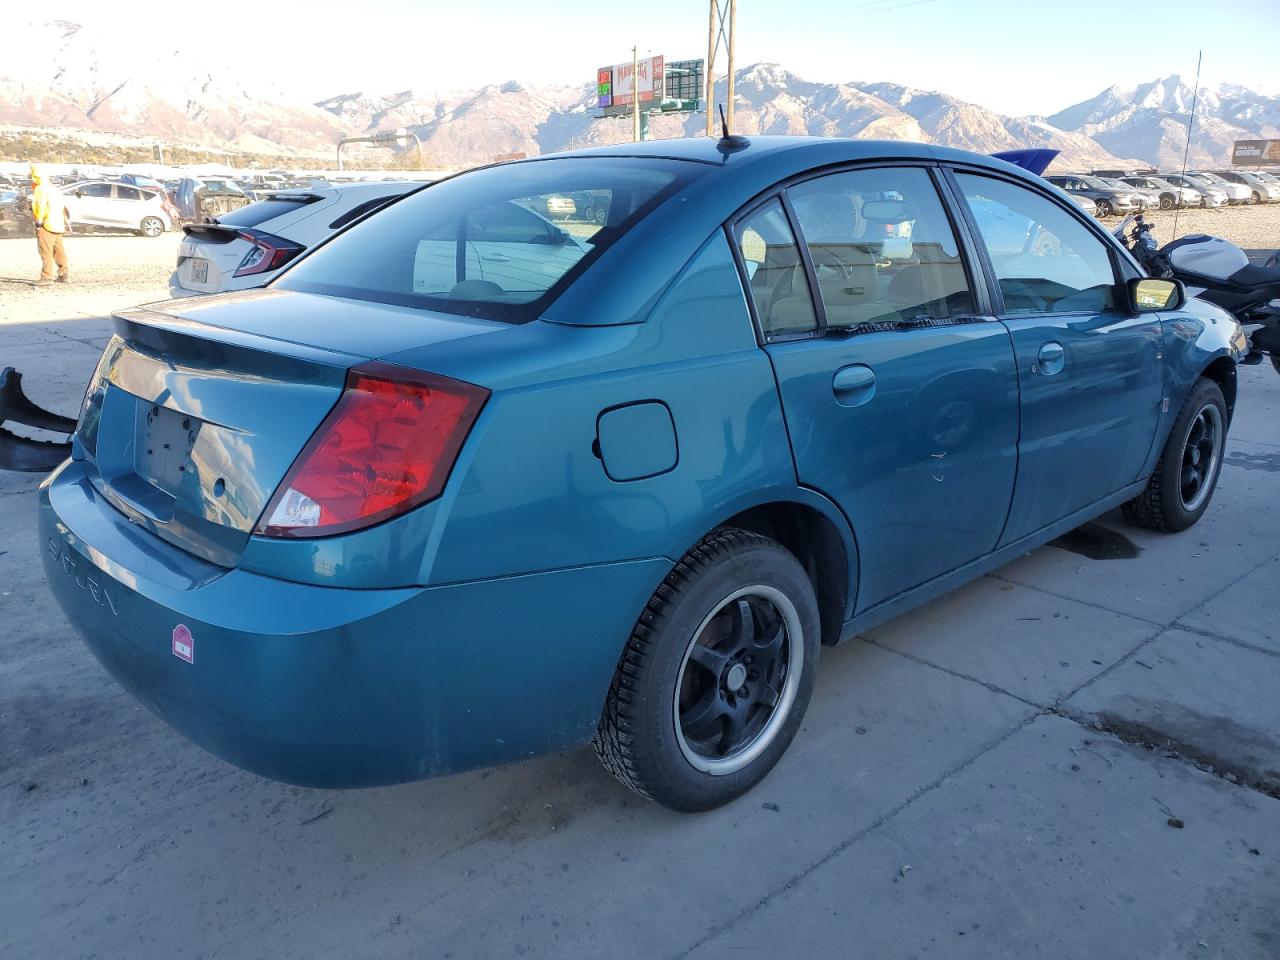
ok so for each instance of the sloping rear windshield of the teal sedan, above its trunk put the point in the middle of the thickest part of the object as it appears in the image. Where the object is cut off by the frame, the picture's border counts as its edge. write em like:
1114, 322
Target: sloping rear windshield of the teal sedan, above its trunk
501, 243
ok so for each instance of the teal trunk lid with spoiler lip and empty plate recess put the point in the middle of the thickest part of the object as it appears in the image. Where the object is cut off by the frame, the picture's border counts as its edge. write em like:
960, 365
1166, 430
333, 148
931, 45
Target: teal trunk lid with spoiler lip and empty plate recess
199, 409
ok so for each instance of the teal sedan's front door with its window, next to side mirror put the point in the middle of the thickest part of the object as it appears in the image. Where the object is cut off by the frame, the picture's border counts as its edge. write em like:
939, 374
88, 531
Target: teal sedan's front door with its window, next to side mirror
1090, 374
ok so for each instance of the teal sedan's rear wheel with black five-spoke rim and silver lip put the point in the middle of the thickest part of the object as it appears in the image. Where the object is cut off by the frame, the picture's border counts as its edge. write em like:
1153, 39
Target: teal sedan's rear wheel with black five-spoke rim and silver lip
716, 678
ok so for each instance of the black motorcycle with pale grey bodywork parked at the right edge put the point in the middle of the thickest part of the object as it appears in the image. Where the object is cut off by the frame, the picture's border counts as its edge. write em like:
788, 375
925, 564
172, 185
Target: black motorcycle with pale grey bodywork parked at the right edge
1219, 272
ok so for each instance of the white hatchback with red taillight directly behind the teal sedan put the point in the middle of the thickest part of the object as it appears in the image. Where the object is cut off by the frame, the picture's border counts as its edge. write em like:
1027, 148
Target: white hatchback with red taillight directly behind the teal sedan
250, 246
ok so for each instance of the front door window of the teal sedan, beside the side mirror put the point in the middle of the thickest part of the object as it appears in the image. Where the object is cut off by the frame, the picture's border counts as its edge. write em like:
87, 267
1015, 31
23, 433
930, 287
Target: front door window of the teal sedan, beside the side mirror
1046, 262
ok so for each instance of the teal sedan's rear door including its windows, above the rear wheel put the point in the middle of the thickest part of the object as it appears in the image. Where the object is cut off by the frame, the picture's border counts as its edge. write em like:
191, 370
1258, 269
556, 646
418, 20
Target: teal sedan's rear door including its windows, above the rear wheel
900, 396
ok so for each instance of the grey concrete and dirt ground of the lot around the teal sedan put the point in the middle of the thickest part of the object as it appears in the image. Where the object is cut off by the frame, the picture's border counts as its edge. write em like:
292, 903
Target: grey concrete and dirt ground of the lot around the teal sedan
1075, 757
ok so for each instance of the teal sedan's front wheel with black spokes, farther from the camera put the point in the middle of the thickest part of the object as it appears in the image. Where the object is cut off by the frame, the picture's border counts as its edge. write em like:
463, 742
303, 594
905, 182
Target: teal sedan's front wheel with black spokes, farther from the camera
1186, 477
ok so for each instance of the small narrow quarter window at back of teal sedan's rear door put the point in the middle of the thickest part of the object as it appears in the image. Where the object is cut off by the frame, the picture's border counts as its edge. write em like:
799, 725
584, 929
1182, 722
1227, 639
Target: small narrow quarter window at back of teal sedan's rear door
775, 272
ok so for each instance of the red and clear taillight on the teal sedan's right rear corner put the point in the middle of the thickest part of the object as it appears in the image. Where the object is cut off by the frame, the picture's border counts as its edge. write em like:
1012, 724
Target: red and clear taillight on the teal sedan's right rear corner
386, 447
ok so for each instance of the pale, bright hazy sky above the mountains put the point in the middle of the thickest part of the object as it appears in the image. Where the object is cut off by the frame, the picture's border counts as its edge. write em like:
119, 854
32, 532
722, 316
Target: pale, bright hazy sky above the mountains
1013, 56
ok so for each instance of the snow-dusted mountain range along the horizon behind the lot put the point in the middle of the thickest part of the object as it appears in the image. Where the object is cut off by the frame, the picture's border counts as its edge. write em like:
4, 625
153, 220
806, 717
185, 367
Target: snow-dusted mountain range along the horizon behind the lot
61, 75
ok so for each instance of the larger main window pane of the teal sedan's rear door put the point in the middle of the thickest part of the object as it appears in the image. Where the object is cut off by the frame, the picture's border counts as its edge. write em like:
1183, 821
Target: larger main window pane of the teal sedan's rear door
881, 248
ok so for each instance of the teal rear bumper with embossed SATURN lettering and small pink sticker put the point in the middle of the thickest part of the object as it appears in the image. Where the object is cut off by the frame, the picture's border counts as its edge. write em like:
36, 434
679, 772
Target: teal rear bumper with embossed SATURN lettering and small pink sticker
336, 688
